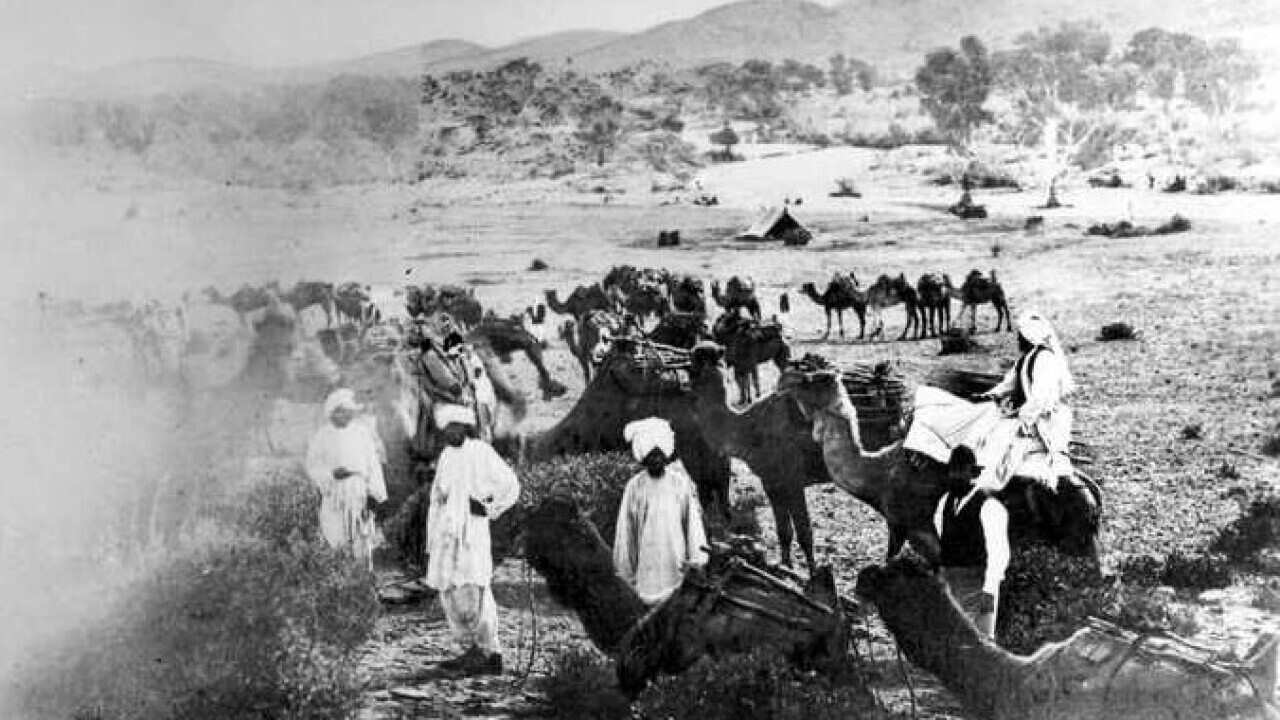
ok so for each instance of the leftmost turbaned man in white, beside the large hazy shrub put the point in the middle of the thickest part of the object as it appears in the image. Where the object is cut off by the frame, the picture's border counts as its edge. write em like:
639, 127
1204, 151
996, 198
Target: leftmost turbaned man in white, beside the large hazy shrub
344, 463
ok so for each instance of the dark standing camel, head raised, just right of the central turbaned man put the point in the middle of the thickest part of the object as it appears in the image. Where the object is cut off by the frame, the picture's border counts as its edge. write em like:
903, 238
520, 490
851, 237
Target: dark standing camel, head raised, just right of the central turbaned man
772, 438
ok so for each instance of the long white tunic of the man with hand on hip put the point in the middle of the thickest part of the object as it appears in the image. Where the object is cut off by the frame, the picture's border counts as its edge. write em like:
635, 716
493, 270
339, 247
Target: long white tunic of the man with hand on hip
458, 543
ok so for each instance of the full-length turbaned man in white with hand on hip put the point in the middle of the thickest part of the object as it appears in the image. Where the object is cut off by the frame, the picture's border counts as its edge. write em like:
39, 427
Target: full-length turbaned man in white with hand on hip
473, 487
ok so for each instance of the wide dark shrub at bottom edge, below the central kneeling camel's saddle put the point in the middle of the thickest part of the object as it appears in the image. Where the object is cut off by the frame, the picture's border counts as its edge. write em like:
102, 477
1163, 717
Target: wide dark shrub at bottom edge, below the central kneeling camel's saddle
758, 685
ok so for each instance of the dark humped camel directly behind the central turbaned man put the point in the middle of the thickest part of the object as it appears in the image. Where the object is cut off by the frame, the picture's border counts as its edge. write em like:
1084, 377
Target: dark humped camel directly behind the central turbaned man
630, 386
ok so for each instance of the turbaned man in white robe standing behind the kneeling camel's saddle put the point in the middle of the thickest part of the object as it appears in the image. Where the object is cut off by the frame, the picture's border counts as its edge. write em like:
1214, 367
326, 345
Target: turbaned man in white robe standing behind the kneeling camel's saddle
660, 532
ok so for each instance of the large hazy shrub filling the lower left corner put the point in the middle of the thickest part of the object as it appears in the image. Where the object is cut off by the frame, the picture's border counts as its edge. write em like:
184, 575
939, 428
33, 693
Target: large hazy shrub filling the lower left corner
268, 623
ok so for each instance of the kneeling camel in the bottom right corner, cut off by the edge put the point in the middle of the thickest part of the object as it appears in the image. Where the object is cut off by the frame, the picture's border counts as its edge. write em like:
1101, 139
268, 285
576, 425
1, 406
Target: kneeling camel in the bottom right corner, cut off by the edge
1101, 672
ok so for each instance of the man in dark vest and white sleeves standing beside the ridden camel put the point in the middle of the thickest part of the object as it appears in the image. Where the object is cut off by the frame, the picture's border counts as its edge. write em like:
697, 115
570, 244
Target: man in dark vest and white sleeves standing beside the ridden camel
973, 528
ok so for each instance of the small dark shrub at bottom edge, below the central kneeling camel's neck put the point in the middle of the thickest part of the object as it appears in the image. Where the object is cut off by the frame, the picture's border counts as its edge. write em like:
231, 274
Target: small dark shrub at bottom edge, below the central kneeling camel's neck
583, 686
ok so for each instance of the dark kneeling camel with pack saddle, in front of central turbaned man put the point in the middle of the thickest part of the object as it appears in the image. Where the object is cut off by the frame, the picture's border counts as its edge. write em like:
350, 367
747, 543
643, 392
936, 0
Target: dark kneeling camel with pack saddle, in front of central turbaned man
735, 604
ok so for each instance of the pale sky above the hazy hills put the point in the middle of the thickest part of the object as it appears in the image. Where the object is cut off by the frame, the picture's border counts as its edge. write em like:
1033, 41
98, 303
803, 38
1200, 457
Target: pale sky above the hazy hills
90, 34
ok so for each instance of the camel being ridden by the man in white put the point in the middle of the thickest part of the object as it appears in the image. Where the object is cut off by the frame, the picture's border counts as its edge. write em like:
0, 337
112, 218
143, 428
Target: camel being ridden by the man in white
906, 487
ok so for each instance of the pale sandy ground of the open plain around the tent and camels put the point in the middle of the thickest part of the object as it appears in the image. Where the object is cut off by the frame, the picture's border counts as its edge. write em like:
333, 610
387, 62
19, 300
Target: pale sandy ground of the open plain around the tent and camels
1208, 303
